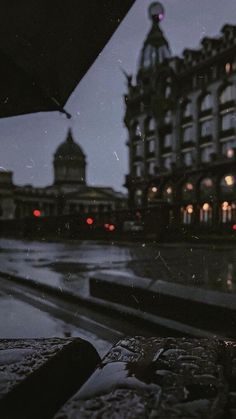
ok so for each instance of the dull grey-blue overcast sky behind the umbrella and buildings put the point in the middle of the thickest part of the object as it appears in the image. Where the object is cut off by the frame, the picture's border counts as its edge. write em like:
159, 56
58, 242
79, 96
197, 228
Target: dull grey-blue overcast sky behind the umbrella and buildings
28, 142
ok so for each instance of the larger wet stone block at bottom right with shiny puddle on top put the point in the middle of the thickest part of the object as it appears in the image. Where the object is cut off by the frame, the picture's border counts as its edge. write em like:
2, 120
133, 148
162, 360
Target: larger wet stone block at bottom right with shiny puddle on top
160, 378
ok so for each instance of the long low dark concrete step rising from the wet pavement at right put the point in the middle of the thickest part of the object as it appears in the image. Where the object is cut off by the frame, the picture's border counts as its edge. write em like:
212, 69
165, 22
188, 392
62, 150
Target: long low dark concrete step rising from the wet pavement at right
203, 309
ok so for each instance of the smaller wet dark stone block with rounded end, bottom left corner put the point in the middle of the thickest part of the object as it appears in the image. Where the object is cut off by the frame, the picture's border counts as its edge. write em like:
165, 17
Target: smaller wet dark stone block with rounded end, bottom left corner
38, 376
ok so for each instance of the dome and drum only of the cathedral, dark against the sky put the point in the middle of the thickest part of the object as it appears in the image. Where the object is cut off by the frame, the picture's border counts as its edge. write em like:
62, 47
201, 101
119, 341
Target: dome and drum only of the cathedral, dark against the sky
69, 163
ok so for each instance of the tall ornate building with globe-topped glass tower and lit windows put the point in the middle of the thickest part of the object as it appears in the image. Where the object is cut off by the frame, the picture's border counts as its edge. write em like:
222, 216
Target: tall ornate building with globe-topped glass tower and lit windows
181, 120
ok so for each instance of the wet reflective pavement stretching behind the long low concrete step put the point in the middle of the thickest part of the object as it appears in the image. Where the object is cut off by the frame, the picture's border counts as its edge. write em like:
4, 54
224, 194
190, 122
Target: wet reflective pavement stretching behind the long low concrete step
69, 264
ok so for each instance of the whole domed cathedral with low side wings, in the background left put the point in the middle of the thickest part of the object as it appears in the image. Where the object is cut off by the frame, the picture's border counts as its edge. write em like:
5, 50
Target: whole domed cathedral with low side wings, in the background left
69, 193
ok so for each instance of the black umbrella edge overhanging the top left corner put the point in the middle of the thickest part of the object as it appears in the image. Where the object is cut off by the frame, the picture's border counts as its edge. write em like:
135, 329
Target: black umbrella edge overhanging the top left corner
46, 47
